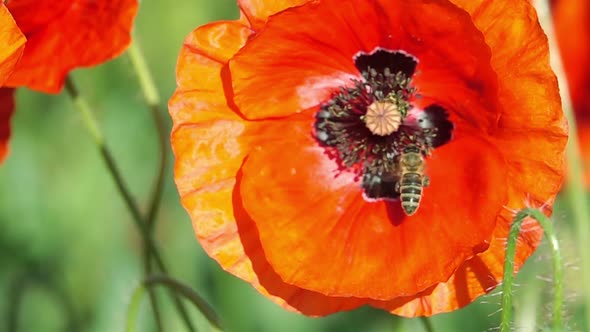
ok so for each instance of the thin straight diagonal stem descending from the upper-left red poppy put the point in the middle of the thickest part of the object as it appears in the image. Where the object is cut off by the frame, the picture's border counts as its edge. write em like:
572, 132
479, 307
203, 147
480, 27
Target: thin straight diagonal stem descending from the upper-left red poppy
92, 126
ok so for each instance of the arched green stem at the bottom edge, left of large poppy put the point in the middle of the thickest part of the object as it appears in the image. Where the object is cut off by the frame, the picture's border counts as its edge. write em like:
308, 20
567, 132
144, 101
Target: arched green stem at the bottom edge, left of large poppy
178, 288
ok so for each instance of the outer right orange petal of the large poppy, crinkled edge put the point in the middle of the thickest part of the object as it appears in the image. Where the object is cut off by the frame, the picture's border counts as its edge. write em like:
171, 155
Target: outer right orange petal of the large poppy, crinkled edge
532, 143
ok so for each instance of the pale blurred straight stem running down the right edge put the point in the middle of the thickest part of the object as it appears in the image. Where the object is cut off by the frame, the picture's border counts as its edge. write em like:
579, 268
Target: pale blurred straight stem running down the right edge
576, 193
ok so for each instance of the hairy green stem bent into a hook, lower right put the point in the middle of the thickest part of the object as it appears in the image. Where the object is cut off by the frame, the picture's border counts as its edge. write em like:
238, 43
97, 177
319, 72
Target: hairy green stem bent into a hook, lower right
509, 268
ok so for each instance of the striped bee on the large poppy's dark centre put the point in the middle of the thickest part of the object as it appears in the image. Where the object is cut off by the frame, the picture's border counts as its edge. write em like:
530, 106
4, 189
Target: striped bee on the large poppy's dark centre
412, 178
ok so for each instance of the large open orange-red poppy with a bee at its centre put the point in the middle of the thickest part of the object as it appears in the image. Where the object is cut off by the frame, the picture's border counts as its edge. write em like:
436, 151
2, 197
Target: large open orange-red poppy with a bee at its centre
299, 128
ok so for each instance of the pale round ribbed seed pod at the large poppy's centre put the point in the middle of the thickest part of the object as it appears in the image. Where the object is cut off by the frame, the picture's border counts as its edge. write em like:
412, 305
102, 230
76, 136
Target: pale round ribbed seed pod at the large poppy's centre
383, 118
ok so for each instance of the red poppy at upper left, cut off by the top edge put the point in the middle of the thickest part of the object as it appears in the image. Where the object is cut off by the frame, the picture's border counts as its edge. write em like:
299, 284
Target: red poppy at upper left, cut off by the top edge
64, 35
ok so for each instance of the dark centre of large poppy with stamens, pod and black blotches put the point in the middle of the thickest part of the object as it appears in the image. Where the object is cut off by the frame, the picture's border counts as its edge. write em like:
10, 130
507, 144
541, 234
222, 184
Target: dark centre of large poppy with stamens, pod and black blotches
367, 126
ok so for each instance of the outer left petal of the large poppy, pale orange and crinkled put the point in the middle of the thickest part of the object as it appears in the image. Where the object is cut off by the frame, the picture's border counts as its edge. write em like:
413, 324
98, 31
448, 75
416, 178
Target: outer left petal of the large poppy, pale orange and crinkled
210, 143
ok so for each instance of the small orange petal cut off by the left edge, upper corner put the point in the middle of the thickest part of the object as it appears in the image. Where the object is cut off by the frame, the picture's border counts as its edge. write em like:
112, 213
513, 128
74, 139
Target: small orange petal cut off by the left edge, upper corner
12, 41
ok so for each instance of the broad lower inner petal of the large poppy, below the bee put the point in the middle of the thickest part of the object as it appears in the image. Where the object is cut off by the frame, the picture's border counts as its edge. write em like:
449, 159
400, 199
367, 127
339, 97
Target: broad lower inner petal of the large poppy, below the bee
342, 245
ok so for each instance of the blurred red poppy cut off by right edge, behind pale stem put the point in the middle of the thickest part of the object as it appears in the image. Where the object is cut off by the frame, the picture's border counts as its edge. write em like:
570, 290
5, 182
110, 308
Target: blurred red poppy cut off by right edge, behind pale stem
572, 28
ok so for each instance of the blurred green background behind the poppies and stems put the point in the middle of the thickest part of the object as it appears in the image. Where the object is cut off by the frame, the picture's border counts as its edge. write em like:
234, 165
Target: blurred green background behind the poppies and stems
70, 256
